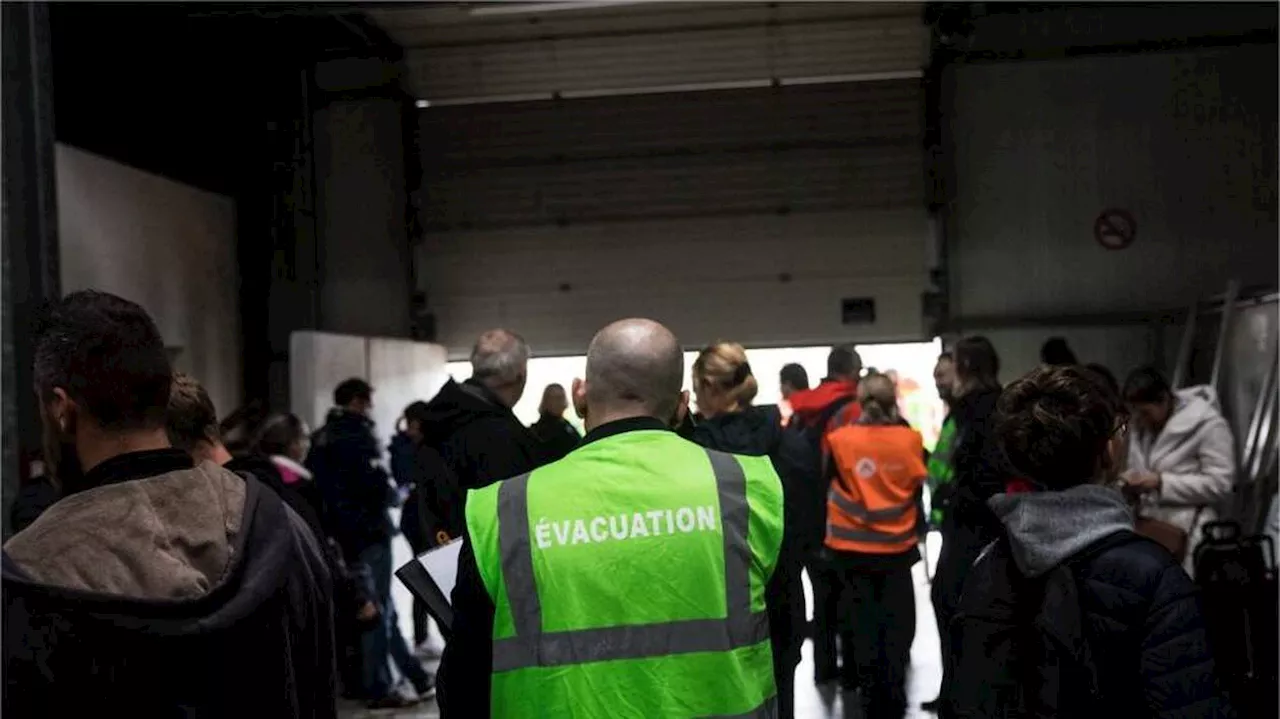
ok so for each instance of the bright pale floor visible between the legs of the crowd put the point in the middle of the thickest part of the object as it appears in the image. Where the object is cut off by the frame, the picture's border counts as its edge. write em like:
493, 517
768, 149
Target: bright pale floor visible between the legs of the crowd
812, 702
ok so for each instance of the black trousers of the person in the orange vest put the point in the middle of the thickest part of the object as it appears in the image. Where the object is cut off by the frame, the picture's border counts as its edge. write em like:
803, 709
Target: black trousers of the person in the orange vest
880, 615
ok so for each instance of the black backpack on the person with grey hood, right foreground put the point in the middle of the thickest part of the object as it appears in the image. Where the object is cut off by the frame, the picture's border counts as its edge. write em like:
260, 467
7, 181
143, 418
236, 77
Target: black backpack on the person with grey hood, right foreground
1021, 640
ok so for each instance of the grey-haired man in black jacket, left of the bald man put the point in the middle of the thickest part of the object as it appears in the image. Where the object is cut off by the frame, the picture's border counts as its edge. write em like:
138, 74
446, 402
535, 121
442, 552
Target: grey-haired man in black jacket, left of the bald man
470, 436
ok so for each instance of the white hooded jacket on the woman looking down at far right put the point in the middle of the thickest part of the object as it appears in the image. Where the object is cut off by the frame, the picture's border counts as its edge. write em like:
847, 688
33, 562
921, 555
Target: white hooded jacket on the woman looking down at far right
1195, 456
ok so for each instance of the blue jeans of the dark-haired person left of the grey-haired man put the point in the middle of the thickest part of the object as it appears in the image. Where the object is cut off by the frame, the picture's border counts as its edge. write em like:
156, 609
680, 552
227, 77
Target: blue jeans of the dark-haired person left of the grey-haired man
385, 642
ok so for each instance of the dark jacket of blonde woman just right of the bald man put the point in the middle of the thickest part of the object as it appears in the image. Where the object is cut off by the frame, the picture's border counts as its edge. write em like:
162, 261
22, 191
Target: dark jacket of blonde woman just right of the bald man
758, 432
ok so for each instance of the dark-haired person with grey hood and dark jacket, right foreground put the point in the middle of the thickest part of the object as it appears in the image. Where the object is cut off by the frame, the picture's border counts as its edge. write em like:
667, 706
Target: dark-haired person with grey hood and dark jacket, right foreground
1071, 613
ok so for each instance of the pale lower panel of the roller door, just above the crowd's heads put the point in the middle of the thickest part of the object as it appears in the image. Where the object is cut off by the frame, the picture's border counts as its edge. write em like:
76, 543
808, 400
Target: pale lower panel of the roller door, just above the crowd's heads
711, 278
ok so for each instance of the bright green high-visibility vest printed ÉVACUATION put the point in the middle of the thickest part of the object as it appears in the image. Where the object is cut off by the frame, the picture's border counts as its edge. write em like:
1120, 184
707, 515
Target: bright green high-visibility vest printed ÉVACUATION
629, 580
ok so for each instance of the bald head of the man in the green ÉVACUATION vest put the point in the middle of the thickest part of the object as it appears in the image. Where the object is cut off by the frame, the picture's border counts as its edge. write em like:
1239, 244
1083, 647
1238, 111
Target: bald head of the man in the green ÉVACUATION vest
634, 367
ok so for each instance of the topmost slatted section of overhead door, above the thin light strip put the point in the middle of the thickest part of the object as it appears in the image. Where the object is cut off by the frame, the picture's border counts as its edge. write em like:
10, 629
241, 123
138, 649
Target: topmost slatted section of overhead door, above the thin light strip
492, 54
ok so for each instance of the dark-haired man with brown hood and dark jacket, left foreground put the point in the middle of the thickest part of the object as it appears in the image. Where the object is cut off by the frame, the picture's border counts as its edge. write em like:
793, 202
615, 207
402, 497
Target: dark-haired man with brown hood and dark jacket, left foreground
156, 588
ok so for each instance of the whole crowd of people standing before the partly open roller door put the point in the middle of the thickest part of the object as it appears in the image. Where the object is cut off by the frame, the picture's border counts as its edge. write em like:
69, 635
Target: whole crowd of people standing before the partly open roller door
650, 569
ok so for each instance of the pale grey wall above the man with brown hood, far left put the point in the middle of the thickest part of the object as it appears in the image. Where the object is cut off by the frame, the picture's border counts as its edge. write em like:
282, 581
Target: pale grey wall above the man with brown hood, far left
168, 248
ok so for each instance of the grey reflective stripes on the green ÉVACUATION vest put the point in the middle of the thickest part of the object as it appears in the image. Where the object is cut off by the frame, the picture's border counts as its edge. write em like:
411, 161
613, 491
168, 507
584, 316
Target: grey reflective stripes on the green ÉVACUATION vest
531, 647
